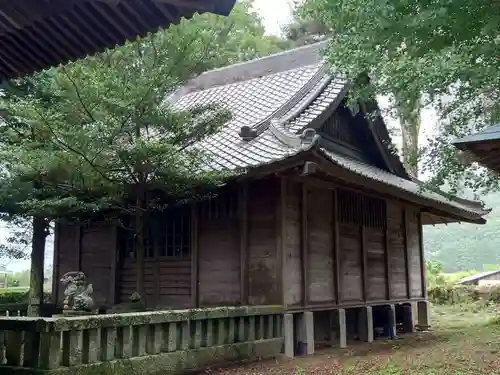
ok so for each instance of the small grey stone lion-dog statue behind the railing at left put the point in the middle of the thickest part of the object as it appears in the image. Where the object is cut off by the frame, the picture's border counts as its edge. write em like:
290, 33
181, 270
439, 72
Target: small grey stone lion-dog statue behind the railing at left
78, 294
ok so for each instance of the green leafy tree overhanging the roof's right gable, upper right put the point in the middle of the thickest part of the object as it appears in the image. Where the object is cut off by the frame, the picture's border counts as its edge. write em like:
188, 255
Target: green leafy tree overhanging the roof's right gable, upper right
421, 49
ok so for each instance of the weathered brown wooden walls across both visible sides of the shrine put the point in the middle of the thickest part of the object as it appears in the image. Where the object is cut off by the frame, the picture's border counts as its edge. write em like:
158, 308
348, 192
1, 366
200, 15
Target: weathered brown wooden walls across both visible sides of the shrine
277, 240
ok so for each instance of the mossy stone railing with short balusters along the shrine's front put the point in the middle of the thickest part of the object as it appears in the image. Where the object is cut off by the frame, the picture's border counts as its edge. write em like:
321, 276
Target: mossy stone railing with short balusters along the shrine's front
140, 343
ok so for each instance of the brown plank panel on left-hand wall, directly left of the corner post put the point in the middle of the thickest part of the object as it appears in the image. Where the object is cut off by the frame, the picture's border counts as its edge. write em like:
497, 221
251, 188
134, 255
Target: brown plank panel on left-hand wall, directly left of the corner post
263, 196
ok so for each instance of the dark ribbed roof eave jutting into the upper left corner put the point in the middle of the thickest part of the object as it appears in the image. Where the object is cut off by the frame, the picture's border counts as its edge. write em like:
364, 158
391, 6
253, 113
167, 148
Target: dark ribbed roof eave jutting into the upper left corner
35, 34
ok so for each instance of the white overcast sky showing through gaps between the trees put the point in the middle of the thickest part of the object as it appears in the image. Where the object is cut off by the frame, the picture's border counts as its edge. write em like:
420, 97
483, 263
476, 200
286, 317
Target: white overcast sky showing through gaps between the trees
275, 14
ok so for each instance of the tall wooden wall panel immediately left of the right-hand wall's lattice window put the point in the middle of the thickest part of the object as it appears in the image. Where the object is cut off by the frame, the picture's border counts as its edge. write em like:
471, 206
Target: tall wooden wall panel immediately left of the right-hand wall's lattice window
320, 242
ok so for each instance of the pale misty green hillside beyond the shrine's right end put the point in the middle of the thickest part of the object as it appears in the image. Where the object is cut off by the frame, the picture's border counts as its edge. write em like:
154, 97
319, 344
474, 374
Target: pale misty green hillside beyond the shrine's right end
463, 247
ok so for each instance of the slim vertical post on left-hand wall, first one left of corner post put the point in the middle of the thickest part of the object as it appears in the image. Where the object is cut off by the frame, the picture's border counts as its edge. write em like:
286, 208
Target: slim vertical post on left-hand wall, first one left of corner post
243, 210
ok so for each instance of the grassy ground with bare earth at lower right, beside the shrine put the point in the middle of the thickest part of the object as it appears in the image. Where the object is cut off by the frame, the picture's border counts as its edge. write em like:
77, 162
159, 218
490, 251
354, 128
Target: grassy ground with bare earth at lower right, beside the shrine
464, 340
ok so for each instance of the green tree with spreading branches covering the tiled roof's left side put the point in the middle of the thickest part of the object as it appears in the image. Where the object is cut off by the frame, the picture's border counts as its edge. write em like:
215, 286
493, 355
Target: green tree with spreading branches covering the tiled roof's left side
97, 134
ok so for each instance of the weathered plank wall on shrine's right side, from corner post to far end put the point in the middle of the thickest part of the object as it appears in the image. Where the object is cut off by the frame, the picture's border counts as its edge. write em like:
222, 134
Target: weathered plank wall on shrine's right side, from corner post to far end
344, 248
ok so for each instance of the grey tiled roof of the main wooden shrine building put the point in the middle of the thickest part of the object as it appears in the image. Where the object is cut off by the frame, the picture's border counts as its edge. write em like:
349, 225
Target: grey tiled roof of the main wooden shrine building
275, 102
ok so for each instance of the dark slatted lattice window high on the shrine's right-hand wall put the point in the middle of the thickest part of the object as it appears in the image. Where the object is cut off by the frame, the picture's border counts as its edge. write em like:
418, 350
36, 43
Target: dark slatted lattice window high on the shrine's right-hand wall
360, 210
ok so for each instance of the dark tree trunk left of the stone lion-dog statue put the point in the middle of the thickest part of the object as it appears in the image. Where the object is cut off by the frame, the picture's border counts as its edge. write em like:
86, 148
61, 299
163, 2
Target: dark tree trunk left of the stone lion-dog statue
37, 264
